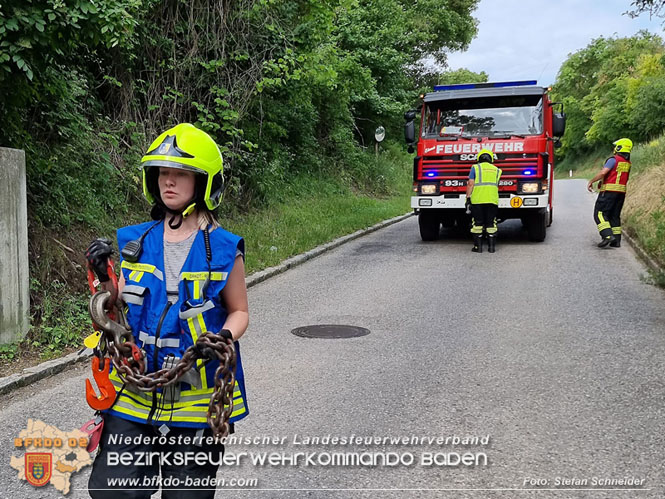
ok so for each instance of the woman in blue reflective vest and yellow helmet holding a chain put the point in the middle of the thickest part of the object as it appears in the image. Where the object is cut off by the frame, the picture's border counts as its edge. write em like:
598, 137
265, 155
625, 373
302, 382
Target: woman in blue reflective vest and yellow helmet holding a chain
182, 277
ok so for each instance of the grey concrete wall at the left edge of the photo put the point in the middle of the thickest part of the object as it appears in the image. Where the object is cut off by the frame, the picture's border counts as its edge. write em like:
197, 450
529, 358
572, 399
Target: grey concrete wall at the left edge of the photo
14, 282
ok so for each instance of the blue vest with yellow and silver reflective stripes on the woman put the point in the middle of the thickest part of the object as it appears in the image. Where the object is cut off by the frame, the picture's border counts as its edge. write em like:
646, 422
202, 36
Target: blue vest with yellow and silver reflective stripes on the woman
165, 331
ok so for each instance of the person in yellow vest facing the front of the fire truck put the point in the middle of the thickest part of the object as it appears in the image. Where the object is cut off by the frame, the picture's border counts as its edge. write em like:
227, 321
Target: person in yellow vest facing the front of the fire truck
482, 192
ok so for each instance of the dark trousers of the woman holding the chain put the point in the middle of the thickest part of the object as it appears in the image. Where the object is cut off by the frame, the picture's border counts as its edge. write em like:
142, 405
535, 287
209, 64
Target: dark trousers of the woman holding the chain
106, 469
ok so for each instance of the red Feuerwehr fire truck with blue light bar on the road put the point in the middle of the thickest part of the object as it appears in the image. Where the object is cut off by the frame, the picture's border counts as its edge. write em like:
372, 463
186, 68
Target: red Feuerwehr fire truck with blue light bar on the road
516, 121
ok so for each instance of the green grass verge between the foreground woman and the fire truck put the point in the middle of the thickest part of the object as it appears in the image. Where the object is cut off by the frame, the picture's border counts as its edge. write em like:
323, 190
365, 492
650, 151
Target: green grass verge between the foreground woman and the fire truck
309, 210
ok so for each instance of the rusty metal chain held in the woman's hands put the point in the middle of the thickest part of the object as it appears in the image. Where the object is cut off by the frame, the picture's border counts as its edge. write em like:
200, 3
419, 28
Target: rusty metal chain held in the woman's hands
129, 362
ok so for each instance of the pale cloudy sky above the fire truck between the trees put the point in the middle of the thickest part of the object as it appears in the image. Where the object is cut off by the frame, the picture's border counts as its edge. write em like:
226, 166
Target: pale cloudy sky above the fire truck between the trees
529, 40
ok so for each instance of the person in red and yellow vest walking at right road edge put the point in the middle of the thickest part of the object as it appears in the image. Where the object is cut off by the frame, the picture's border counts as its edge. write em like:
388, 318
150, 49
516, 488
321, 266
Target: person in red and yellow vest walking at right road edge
613, 180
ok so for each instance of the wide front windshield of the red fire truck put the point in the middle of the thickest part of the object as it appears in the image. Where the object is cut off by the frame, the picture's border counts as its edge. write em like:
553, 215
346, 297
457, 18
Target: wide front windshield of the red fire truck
487, 117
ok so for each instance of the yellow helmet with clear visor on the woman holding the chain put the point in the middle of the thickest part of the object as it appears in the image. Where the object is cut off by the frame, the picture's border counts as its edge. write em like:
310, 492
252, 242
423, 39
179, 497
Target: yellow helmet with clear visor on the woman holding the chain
185, 147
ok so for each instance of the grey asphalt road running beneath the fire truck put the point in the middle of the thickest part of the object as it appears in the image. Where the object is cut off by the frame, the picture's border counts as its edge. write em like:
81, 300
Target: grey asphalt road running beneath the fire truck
553, 350
